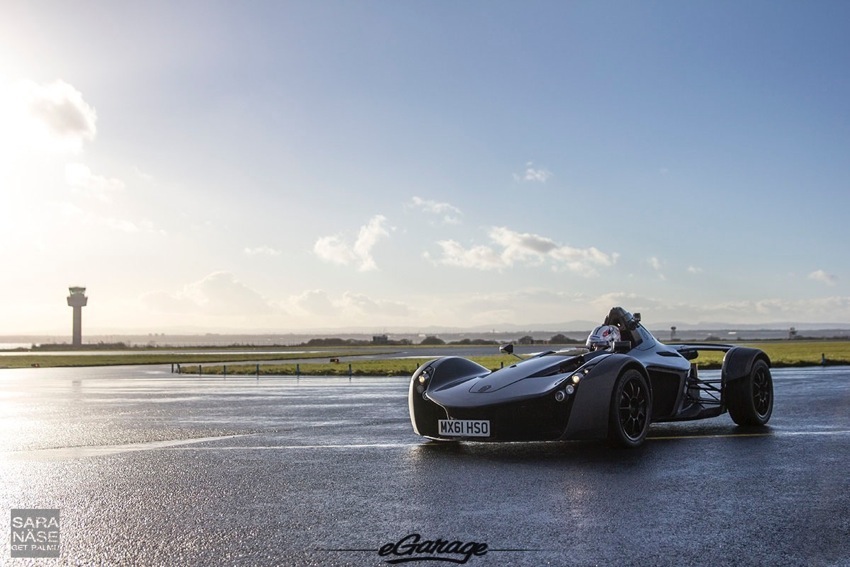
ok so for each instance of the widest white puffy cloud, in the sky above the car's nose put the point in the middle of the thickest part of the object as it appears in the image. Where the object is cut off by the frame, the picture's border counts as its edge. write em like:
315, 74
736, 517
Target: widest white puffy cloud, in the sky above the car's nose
510, 248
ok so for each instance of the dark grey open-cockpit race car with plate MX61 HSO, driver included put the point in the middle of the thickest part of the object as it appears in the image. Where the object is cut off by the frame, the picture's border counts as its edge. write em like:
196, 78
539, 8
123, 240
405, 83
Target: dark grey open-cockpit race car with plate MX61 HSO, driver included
615, 388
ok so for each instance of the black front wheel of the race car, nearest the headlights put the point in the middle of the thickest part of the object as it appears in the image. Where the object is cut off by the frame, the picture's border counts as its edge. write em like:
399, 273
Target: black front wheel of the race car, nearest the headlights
631, 410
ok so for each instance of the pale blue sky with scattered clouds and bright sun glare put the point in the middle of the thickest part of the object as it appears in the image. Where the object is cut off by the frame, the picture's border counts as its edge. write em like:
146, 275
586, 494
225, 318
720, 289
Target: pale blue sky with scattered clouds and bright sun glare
287, 166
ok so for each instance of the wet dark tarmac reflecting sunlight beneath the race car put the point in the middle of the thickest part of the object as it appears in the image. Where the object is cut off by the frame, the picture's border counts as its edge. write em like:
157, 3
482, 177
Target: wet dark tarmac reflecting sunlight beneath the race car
150, 468
